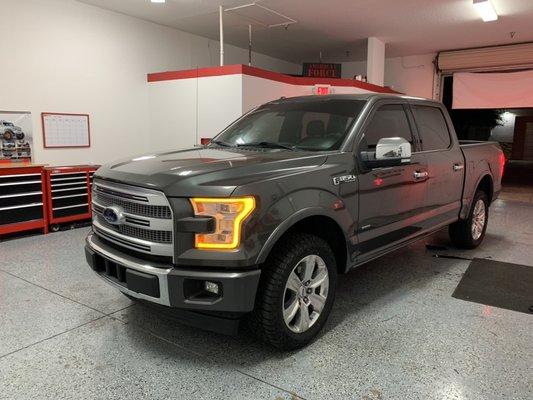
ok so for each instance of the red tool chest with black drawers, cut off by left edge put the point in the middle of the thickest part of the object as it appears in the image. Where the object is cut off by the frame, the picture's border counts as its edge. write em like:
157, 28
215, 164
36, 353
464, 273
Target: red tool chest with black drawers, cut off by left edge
22, 198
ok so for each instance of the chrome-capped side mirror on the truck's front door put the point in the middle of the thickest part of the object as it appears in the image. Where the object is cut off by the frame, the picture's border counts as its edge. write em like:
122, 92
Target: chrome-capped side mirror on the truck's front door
389, 152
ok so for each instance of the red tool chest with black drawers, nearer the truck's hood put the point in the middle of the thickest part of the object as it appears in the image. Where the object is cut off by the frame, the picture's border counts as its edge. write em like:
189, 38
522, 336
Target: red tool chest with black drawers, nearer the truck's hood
69, 193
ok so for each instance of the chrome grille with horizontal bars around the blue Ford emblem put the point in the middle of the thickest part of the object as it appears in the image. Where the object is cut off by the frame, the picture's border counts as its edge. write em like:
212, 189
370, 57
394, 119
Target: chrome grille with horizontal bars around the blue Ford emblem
146, 218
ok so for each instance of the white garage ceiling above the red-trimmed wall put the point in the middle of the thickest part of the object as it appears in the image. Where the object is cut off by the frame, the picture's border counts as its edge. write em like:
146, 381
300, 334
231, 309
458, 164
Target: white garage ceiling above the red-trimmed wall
338, 28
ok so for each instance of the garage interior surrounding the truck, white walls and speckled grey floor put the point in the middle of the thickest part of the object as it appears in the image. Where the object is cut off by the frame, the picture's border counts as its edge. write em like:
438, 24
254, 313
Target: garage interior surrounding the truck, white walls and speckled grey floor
144, 76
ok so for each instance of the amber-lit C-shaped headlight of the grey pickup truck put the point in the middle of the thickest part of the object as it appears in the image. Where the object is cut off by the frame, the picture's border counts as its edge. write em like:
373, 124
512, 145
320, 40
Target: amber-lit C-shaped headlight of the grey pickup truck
229, 214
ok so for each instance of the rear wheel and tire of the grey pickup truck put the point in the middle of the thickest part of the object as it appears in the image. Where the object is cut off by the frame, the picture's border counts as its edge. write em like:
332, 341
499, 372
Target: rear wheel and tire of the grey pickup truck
469, 233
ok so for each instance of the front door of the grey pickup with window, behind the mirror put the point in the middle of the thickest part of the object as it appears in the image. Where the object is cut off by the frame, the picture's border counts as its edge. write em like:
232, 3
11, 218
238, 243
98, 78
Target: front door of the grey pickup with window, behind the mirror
391, 199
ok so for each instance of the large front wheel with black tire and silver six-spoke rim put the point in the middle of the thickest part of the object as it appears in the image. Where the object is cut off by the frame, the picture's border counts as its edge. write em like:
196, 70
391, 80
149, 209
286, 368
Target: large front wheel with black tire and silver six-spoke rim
296, 292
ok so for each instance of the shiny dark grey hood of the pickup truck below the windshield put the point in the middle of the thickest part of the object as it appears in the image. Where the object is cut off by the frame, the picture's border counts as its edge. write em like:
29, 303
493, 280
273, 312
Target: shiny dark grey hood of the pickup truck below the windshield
207, 171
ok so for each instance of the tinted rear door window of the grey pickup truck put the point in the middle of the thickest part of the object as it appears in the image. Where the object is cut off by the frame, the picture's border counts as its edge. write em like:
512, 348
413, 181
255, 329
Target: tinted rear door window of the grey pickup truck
432, 127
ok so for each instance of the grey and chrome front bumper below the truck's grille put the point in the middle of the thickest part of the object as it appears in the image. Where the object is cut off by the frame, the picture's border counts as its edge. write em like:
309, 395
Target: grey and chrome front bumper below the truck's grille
169, 286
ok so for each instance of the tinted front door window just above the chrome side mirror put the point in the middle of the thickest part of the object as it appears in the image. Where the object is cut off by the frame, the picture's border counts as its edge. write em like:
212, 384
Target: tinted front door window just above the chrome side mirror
388, 121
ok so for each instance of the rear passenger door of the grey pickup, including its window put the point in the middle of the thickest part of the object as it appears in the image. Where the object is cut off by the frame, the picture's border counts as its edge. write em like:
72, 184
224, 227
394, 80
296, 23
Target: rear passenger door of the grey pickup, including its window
445, 163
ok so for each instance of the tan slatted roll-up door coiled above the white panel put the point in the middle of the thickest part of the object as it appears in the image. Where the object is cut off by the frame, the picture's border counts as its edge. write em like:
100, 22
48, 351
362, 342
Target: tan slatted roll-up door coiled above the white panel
516, 56
